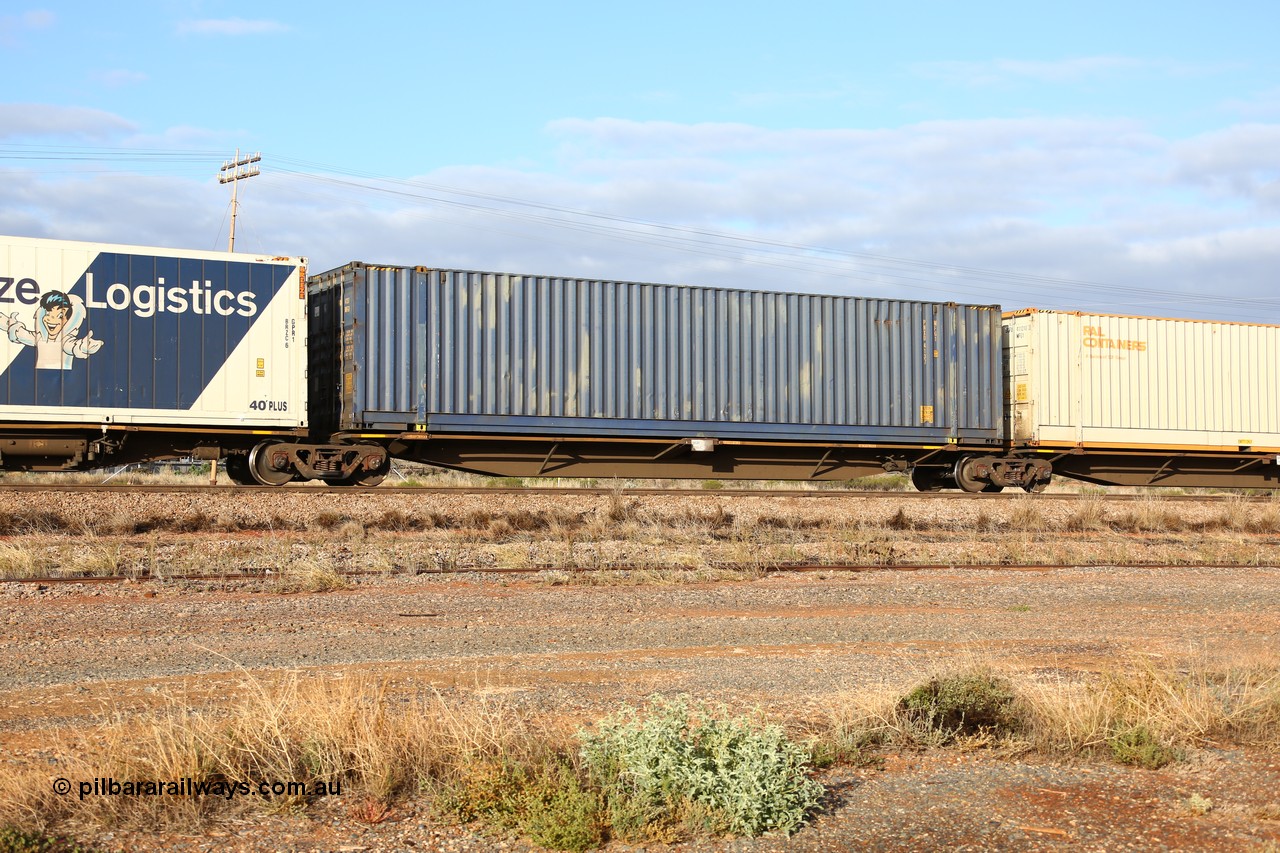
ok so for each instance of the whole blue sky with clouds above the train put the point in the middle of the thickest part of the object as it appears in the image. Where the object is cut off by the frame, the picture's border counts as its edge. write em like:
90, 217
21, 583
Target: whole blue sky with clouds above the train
1117, 157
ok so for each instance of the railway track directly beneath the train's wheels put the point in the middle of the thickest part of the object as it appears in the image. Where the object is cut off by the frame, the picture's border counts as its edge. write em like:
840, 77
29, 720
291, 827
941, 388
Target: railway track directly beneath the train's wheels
624, 492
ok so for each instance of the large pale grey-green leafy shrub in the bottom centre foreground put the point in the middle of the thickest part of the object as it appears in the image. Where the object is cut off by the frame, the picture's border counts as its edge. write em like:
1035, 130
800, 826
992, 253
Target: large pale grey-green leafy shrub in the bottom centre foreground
680, 770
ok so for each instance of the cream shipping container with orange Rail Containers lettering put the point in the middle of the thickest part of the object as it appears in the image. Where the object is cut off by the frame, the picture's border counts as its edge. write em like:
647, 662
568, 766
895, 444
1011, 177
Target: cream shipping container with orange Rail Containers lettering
1099, 381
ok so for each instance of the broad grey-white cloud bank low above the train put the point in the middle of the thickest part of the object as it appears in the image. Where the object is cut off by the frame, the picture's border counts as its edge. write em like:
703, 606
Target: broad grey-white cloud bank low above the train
1089, 202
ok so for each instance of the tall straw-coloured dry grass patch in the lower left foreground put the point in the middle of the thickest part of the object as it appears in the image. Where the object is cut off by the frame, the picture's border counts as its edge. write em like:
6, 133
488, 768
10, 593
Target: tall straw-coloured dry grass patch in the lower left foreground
346, 732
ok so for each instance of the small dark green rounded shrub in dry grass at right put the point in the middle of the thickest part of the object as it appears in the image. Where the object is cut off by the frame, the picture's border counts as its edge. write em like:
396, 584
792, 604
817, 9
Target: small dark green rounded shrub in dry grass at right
966, 704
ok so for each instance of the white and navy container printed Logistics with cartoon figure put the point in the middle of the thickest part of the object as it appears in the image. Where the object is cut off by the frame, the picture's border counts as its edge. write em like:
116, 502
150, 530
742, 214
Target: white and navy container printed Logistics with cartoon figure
131, 335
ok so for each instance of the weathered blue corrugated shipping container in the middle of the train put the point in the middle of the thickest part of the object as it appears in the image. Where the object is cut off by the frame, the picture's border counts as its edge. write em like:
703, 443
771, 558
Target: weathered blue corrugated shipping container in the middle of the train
470, 352
